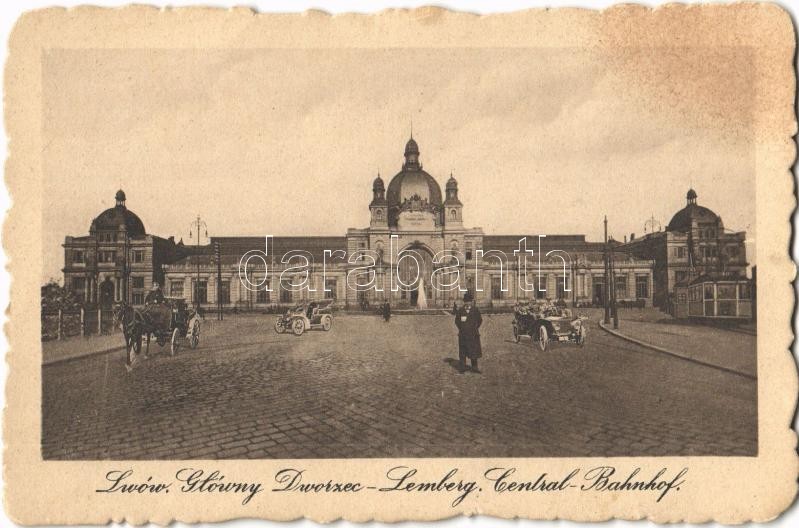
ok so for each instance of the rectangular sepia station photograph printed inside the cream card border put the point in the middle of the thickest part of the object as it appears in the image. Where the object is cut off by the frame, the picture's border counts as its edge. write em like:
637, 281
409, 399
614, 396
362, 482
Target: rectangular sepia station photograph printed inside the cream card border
403, 253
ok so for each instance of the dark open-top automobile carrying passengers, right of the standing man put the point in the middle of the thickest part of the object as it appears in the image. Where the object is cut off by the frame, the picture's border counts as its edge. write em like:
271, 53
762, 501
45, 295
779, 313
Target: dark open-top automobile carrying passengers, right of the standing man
547, 323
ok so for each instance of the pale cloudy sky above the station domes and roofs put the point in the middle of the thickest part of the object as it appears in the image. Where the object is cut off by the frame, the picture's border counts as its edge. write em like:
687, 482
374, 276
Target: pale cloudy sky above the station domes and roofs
288, 142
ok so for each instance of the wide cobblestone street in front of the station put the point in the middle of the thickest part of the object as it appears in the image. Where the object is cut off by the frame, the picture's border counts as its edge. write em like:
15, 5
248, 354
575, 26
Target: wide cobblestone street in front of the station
371, 389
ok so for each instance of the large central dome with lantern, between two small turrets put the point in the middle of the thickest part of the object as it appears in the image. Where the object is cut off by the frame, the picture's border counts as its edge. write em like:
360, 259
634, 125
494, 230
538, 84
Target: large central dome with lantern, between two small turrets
412, 184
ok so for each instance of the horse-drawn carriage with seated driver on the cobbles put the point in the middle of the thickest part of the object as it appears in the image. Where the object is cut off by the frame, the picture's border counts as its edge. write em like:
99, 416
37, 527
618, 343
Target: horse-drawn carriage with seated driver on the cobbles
170, 321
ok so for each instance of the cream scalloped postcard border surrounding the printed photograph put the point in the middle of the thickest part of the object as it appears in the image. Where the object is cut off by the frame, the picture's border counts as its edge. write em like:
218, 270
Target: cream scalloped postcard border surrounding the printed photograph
756, 488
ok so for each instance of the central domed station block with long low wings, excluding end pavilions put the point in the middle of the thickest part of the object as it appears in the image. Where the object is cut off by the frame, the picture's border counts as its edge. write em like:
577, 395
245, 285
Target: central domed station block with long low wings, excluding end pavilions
368, 266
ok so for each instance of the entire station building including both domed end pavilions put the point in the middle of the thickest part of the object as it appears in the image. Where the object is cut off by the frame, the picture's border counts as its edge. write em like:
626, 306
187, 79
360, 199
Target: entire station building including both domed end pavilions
119, 261
